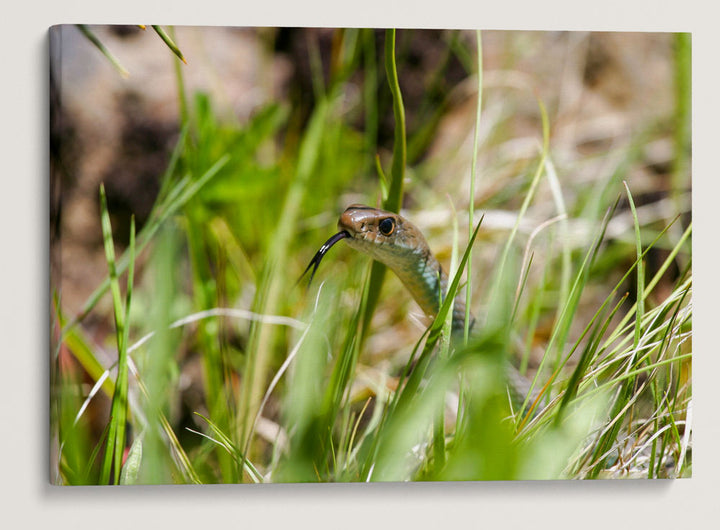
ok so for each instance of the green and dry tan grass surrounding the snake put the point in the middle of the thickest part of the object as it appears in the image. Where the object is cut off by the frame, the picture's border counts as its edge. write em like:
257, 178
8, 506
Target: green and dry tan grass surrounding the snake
229, 397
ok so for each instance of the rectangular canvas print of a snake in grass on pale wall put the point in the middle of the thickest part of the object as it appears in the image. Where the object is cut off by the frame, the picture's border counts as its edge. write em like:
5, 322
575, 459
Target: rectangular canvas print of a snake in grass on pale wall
290, 255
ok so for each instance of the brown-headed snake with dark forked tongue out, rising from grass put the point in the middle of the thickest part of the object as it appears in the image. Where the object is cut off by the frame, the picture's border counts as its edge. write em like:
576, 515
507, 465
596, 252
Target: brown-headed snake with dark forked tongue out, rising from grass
400, 245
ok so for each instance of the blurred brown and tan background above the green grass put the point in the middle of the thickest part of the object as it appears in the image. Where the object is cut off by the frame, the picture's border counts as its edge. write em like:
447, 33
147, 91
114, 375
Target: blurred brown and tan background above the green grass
601, 90
